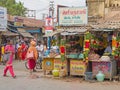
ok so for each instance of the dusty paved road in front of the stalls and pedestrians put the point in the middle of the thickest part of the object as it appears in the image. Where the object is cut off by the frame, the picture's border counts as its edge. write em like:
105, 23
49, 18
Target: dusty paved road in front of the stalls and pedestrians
23, 82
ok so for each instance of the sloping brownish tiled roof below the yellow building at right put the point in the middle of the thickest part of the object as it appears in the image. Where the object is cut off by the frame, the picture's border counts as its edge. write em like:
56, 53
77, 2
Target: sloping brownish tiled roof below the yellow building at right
111, 22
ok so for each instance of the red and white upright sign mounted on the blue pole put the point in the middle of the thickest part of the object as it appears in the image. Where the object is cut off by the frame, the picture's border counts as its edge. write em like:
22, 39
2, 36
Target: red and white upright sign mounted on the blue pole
48, 25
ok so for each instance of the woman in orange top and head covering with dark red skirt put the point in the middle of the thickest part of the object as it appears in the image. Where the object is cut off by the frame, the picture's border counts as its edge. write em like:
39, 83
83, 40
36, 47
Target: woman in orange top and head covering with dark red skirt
32, 60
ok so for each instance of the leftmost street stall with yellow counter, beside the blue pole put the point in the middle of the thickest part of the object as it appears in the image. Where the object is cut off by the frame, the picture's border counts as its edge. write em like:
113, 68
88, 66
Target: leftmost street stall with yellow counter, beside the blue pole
52, 57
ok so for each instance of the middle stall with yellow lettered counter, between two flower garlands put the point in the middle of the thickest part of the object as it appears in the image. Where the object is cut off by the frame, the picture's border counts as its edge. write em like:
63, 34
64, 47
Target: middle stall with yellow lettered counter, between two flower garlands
74, 45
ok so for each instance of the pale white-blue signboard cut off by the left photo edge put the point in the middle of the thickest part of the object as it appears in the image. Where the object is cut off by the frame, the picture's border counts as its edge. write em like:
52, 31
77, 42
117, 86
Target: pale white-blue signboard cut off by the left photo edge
3, 19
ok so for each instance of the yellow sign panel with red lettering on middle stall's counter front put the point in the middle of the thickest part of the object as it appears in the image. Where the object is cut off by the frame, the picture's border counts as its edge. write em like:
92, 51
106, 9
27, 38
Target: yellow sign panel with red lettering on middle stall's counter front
77, 67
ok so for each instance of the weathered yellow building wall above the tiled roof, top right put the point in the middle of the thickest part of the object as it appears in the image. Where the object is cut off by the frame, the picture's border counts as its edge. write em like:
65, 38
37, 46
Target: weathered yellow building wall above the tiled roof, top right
99, 7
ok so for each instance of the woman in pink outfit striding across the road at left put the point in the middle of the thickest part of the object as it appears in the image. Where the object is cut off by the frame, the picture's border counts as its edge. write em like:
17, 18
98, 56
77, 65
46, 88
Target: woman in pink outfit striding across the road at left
11, 51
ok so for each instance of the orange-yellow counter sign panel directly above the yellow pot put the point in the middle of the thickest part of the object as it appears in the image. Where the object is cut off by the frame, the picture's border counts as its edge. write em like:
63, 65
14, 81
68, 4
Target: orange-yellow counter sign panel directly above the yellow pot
58, 64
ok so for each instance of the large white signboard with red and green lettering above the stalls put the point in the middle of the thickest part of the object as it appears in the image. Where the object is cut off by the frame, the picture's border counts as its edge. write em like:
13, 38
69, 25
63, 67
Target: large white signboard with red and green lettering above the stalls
72, 16
